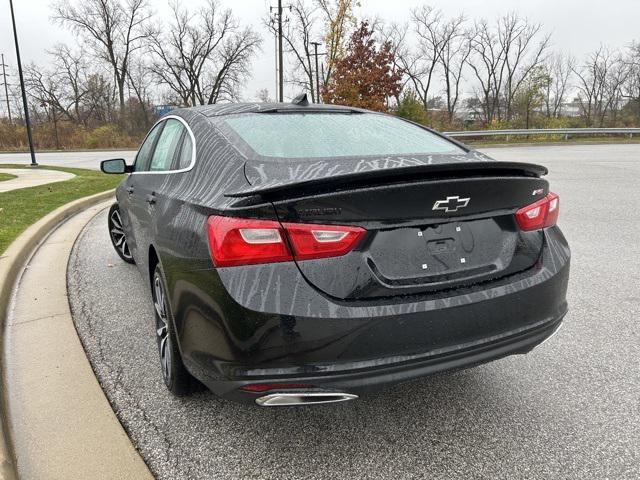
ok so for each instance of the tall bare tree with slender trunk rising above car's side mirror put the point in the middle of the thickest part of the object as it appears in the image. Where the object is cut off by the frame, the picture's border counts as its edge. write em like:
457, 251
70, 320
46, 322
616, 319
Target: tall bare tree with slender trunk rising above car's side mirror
113, 29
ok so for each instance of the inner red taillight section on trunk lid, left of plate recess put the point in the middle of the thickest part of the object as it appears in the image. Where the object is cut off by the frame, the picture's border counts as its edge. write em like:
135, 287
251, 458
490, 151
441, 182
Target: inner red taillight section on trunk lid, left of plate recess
320, 241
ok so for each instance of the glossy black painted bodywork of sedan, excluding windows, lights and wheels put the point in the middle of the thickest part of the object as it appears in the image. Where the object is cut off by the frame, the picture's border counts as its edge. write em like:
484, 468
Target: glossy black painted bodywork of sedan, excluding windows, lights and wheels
374, 316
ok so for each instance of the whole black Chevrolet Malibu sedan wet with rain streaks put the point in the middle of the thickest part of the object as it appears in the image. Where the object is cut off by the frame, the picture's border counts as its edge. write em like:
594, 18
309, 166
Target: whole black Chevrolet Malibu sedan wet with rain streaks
302, 254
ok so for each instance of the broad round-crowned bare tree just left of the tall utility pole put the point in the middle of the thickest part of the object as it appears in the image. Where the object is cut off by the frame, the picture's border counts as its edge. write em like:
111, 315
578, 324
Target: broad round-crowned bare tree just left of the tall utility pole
203, 57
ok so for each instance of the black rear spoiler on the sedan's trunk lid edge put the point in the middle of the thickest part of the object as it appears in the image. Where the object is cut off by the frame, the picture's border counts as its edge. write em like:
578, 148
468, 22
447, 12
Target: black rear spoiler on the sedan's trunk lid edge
425, 171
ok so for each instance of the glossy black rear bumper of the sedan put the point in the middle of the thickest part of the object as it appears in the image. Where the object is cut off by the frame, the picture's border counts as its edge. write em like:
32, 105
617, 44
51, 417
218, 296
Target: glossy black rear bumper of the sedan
235, 335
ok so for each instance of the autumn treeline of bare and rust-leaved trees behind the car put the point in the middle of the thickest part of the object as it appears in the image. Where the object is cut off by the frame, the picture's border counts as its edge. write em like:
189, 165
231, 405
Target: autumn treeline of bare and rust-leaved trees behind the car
448, 72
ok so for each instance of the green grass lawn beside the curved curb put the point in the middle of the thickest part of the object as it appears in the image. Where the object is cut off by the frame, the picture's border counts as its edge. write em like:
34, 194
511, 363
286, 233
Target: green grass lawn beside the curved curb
20, 208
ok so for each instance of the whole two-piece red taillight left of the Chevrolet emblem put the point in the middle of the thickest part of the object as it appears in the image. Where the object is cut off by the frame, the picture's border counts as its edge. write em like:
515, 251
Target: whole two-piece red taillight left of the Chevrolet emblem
242, 241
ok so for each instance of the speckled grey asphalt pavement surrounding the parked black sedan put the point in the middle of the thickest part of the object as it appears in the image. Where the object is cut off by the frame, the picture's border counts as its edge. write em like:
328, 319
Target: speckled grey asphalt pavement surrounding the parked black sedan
570, 409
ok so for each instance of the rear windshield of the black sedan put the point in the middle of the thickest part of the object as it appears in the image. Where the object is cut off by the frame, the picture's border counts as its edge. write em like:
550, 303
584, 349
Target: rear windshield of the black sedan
313, 135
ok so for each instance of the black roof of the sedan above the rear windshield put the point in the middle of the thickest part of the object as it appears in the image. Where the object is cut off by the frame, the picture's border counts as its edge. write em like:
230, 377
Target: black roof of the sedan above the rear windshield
221, 109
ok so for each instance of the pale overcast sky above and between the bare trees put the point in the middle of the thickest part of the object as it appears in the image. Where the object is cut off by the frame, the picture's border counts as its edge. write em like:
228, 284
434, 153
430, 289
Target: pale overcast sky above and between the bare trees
577, 26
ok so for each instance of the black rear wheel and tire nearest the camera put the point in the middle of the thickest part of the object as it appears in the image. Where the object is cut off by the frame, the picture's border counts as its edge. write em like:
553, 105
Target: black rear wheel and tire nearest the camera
176, 377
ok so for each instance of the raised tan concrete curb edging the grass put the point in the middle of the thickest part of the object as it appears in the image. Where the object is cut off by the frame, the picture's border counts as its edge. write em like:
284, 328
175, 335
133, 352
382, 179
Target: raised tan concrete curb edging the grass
11, 267
